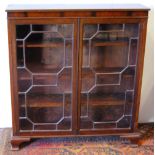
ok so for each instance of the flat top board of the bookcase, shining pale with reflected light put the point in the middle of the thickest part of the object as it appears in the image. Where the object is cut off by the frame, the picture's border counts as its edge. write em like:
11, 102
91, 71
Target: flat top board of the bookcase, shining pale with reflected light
54, 7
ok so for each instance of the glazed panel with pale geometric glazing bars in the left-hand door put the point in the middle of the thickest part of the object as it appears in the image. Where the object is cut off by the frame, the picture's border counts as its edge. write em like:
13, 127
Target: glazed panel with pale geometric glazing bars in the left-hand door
44, 62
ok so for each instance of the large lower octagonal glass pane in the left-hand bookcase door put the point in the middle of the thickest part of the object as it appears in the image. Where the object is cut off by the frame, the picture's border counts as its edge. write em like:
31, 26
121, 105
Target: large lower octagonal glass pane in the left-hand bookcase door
44, 104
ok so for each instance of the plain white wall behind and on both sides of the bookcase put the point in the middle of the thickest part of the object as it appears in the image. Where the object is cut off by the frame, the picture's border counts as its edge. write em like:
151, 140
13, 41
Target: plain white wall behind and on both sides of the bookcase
147, 97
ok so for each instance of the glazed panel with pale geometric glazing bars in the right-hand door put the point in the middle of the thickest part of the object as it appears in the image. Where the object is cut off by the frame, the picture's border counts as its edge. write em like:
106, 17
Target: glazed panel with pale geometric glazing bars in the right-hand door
107, 74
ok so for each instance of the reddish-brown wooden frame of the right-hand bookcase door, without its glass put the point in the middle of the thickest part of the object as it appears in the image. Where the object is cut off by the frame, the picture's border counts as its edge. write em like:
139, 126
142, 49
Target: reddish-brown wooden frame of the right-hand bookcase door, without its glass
139, 71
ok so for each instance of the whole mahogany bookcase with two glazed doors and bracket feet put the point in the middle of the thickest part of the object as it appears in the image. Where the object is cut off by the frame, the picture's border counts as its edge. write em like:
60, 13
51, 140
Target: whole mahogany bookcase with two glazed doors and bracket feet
75, 71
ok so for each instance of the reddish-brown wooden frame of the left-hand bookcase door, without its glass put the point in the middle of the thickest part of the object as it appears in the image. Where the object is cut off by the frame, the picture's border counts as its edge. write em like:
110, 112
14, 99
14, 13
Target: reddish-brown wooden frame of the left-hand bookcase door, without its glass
13, 75
